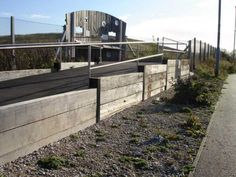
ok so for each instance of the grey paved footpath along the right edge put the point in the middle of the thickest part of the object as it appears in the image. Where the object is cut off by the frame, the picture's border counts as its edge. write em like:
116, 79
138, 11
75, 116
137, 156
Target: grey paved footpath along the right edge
218, 158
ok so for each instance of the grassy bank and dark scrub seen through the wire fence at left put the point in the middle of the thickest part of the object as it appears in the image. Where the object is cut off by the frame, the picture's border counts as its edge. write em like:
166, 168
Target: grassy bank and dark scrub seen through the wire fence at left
29, 58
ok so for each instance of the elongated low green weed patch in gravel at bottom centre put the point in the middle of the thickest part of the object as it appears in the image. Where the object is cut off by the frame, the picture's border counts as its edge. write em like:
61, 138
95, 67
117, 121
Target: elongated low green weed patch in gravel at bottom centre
138, 163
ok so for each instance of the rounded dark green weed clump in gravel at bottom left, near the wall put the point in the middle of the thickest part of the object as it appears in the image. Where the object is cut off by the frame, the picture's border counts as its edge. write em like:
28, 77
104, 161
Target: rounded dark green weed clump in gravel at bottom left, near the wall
52, 162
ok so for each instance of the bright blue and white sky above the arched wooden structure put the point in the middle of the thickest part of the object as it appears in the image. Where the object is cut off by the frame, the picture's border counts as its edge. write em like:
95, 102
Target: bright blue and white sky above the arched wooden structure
146, 19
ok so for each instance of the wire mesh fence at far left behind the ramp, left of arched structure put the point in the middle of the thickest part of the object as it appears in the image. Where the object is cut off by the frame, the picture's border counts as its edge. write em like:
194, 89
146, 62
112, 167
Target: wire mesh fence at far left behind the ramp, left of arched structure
27, 32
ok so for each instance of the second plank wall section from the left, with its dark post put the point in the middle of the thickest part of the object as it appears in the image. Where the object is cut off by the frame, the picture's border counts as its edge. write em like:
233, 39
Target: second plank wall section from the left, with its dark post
116, 93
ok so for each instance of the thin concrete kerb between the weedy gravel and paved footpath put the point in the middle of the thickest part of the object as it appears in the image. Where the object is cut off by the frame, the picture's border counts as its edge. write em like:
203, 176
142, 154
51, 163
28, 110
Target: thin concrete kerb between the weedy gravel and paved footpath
191, 174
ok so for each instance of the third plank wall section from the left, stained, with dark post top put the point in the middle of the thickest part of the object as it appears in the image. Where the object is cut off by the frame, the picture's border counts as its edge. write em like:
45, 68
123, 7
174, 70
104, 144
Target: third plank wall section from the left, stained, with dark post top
154, 79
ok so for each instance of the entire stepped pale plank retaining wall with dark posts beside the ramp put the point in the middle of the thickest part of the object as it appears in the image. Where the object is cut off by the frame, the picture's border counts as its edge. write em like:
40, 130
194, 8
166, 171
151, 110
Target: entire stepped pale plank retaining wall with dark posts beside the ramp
27, 126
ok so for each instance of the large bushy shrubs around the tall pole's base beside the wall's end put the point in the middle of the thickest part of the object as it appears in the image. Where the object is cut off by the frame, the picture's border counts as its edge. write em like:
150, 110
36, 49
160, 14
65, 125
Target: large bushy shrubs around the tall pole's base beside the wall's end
203, 88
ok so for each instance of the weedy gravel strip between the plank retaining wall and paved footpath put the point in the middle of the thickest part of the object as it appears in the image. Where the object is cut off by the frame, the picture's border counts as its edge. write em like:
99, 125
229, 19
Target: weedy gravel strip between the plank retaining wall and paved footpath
149, 139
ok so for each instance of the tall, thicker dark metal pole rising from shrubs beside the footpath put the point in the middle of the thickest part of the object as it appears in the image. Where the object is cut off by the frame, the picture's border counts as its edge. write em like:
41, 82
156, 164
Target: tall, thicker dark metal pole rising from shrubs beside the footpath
217, 69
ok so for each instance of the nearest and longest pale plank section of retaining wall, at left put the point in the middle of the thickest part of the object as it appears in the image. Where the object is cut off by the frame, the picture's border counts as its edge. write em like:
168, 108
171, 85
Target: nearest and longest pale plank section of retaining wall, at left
29, 125
